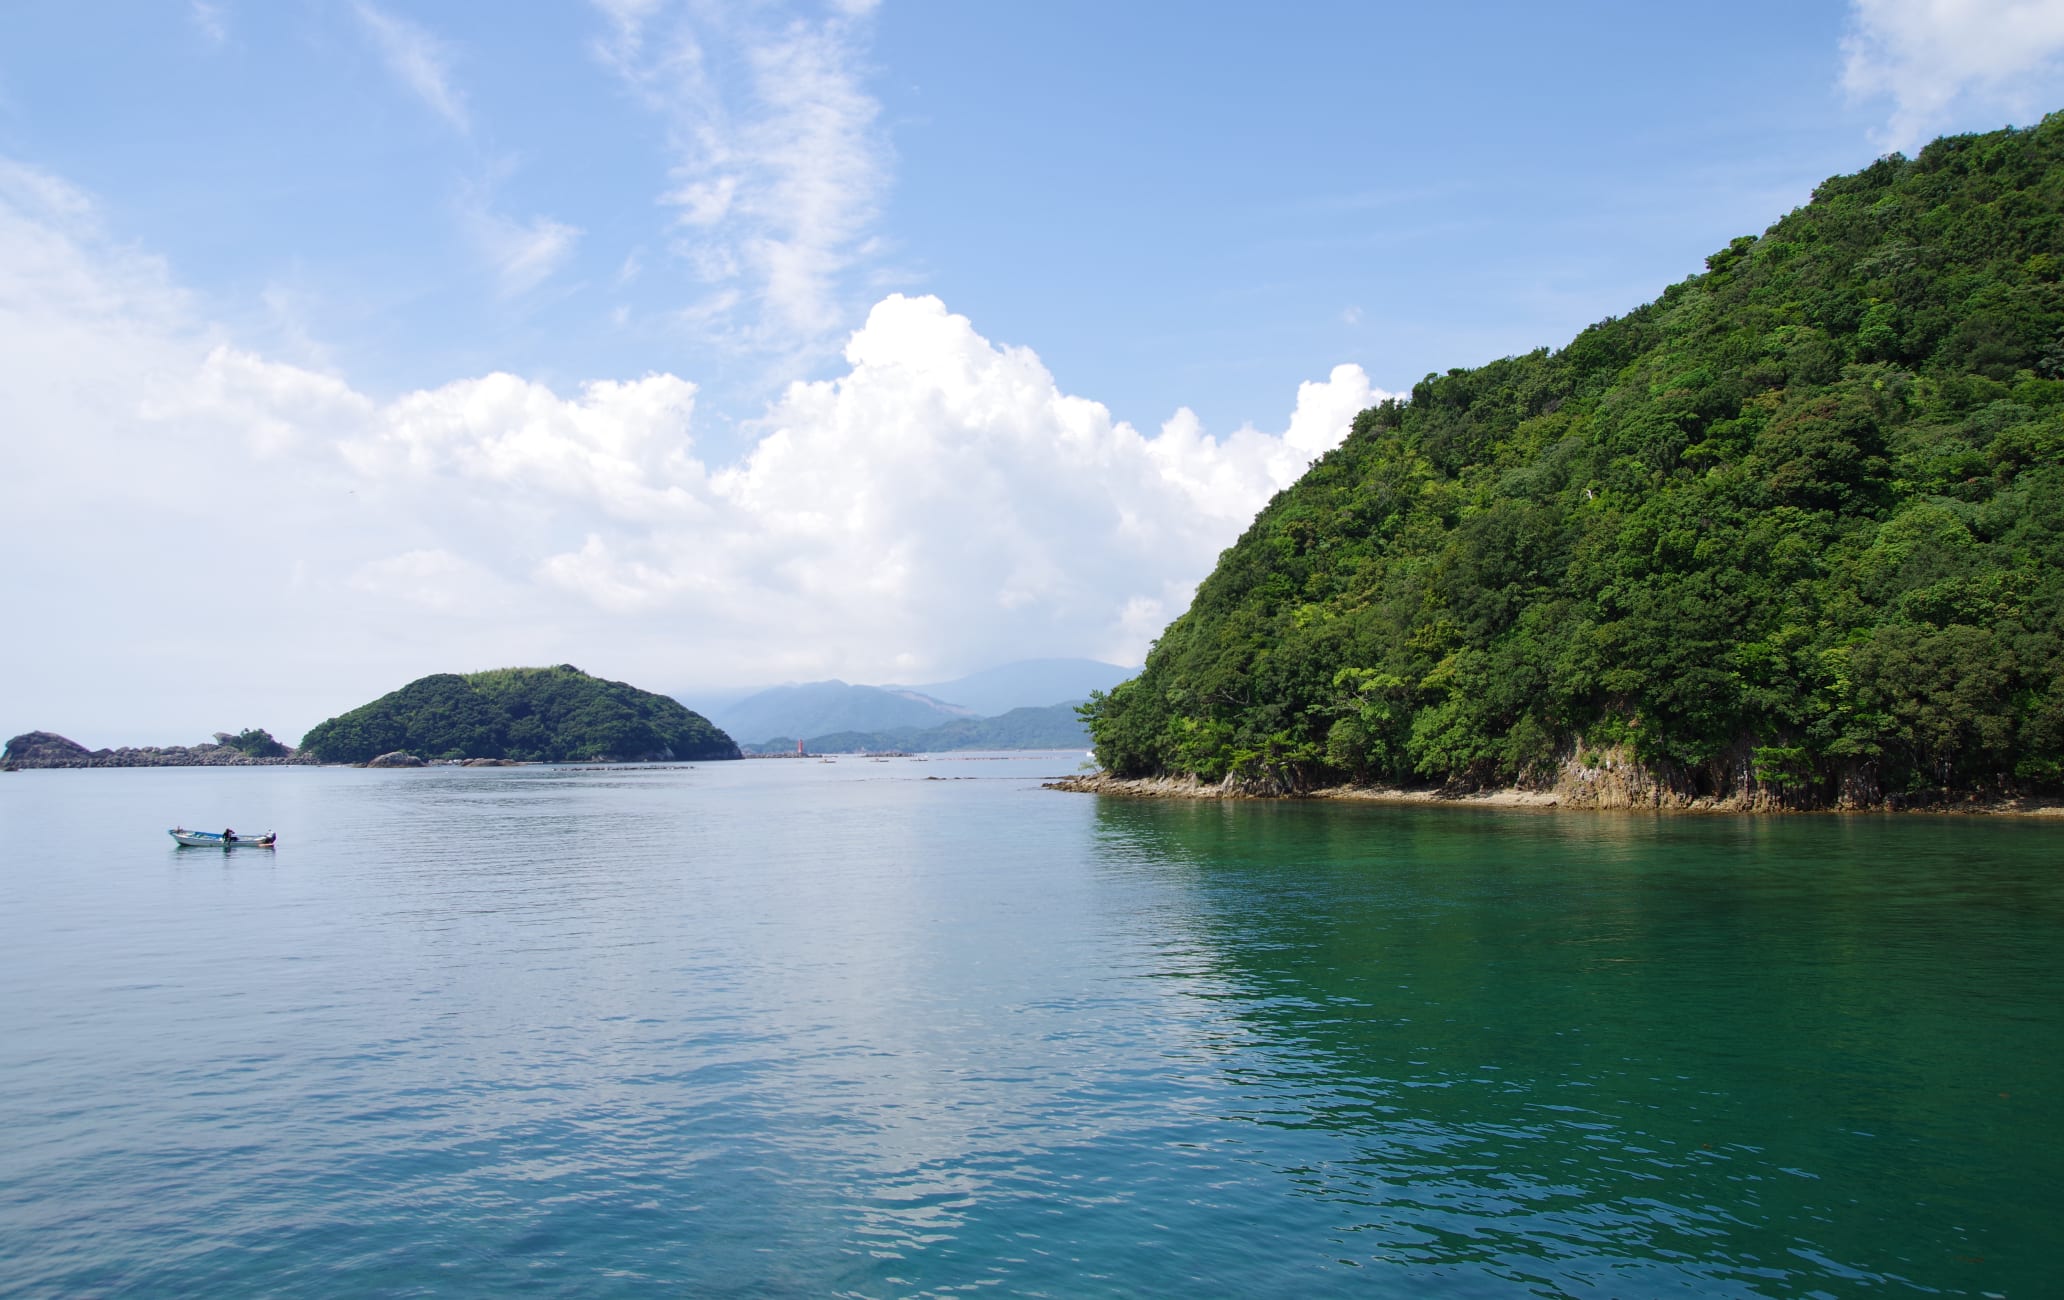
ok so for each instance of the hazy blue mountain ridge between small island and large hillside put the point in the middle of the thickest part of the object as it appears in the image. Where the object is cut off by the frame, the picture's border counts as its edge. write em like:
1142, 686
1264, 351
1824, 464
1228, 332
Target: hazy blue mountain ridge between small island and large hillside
823, 709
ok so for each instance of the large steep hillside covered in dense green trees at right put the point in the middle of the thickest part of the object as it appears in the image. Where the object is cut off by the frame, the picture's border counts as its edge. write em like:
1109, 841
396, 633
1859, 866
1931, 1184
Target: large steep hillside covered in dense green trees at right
1793, 529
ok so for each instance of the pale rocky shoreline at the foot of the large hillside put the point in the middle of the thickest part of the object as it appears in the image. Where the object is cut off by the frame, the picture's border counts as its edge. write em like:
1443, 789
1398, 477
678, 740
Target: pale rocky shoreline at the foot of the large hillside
1594, 795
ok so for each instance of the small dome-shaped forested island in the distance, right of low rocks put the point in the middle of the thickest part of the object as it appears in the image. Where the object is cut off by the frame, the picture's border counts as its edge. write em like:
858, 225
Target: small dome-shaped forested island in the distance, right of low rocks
540, 715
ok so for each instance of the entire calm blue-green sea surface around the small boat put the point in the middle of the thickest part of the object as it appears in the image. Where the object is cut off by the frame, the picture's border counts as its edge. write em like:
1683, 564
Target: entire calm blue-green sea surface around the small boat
839, 1029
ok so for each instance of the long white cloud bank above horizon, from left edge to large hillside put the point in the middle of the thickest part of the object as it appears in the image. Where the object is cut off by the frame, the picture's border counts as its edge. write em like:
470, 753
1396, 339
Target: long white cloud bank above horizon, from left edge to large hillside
938, 507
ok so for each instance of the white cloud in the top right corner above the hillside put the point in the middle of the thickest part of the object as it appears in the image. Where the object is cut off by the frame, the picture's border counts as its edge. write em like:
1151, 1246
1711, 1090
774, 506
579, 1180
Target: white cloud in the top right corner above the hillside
1945, 65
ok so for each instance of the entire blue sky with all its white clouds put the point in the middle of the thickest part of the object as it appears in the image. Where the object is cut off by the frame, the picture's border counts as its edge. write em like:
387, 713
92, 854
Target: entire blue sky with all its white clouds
734, 344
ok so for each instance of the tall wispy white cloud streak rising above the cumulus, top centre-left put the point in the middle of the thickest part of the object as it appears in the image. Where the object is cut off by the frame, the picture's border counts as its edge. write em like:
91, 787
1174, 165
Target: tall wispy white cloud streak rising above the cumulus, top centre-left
777, 160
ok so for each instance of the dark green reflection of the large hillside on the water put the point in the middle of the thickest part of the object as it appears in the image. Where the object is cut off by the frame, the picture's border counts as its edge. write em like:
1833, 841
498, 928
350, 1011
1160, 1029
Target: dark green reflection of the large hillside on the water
1778, 1053
